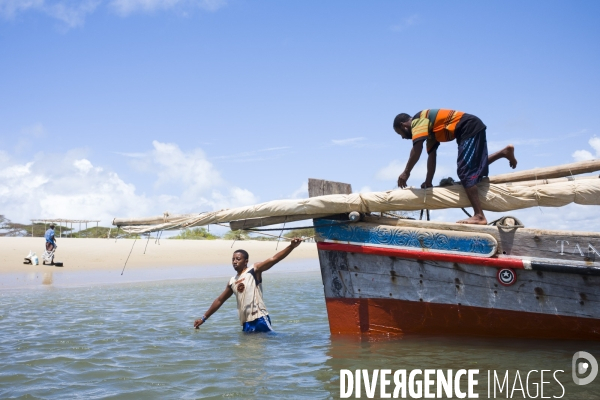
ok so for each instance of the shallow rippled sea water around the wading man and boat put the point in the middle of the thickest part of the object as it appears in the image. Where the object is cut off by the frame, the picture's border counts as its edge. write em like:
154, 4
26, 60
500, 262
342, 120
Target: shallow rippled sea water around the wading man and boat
136, 341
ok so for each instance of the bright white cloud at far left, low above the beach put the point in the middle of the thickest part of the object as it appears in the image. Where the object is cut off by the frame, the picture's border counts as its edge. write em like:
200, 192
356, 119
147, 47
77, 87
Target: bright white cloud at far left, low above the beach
73, 188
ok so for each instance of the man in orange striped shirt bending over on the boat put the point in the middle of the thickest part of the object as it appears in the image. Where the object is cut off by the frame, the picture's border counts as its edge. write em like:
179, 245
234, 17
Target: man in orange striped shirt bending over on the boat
440, 125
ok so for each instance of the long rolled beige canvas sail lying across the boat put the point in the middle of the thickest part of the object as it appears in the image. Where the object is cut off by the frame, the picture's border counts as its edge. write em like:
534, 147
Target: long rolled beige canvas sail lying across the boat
494, 197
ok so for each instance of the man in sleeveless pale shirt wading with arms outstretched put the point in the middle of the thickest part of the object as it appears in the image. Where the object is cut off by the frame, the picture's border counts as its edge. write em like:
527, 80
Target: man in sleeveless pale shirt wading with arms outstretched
247, 287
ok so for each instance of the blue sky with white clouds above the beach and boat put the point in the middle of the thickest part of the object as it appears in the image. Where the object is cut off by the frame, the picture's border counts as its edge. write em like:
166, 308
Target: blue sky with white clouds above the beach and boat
135, 107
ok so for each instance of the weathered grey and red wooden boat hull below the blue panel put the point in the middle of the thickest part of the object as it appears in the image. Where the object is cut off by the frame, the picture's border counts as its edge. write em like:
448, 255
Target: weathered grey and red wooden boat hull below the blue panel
372, 290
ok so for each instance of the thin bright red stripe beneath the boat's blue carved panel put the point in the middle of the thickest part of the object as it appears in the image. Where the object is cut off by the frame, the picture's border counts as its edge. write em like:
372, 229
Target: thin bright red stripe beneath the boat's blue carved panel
422, 255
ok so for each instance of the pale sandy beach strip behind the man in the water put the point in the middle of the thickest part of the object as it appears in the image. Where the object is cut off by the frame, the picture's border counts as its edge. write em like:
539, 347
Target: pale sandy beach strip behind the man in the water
108, 254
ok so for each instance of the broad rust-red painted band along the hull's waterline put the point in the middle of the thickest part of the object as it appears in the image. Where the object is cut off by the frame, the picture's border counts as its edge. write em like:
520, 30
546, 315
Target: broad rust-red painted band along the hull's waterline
376, 316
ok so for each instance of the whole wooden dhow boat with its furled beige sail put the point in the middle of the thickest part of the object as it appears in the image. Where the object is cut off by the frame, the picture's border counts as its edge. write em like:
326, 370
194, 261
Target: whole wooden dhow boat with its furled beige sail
388, 275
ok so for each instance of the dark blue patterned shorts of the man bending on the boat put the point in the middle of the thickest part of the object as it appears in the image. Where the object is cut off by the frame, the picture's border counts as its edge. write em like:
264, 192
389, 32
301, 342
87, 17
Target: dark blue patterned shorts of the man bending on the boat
472, 163
